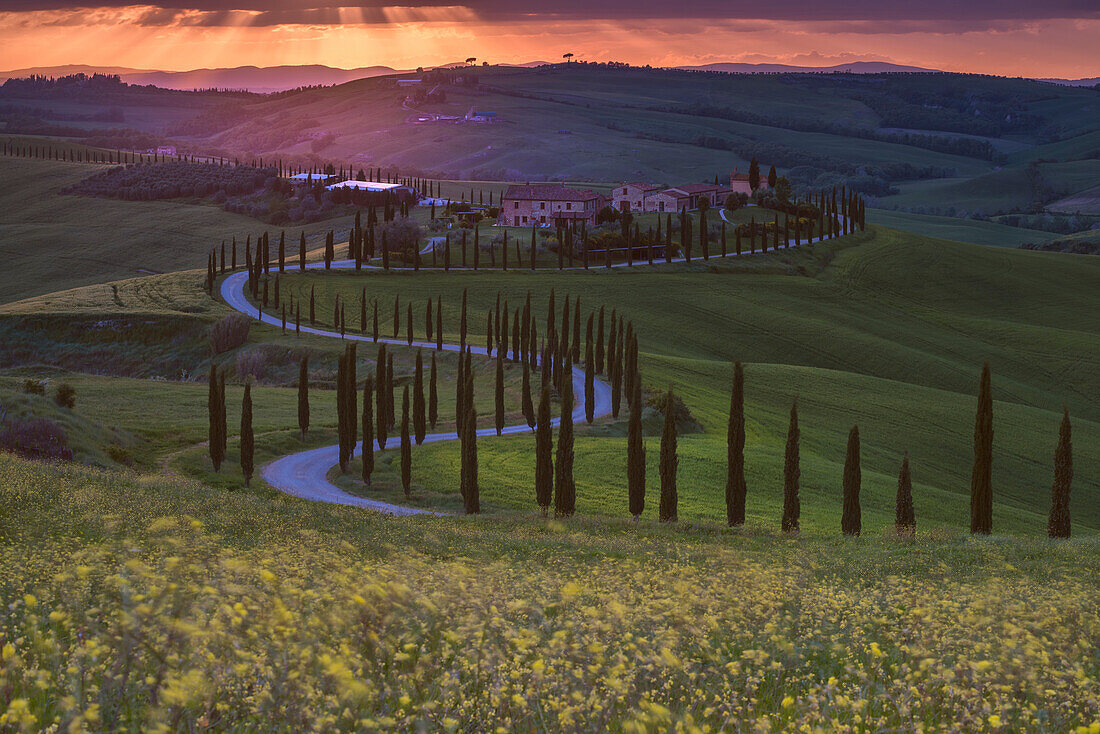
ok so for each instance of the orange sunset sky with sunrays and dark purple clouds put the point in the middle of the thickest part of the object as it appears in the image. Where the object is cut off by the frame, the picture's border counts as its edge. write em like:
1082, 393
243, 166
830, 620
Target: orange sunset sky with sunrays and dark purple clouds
1013, 38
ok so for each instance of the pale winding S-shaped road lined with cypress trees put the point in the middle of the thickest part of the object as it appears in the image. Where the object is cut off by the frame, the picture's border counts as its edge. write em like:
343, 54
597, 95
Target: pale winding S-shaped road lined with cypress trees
305, 475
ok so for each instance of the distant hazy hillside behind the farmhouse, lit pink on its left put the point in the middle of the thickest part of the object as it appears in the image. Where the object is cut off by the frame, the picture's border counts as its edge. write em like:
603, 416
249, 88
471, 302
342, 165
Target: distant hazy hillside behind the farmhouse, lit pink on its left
591, 123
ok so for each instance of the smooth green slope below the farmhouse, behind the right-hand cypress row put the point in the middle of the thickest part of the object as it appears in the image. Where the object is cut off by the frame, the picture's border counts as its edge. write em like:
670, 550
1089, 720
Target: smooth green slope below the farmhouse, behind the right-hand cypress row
905, 320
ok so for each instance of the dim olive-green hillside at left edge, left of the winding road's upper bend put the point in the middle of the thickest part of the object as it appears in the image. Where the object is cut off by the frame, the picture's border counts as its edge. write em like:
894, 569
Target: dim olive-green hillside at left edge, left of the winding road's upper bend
56, 242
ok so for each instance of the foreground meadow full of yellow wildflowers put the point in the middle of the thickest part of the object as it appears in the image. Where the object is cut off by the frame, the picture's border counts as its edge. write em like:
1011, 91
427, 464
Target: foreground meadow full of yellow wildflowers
195, 605
